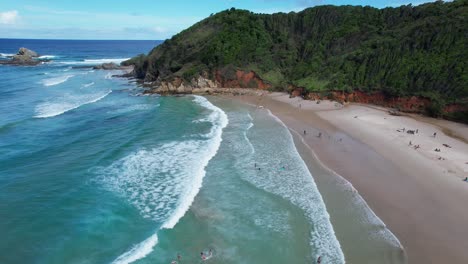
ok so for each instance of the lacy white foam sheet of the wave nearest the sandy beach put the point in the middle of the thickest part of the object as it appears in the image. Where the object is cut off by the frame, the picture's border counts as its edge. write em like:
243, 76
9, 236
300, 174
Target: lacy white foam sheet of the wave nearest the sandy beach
287, 175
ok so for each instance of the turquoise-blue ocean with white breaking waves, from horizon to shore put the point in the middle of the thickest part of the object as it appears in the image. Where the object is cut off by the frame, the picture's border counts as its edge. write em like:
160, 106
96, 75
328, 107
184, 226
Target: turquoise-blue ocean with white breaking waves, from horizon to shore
92, 171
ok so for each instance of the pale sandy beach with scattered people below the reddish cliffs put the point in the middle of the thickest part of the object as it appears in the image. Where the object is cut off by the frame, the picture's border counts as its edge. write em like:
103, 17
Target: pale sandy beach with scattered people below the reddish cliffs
417, 190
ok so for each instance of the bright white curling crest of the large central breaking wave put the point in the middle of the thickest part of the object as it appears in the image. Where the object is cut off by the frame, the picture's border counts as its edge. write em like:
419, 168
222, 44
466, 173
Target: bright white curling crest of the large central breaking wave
219, 120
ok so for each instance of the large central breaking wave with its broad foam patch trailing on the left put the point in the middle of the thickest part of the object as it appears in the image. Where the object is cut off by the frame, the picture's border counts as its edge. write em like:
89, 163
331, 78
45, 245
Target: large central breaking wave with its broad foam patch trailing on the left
163, 182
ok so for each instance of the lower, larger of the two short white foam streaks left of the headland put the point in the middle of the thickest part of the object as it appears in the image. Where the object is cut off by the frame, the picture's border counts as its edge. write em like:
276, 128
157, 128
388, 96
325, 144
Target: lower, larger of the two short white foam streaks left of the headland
65, 104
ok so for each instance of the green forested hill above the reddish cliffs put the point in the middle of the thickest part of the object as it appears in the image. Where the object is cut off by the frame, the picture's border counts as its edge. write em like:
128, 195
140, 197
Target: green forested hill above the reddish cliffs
404, 51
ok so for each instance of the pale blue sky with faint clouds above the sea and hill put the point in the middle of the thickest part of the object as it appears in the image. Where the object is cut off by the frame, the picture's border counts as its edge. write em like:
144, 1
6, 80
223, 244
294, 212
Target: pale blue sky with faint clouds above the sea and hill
135, 19
